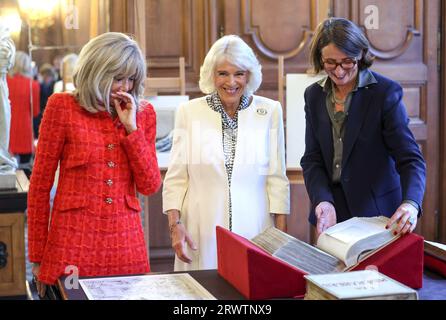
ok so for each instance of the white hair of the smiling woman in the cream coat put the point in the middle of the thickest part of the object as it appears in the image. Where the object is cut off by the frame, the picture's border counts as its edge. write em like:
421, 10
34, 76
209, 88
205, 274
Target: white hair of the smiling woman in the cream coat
234, 50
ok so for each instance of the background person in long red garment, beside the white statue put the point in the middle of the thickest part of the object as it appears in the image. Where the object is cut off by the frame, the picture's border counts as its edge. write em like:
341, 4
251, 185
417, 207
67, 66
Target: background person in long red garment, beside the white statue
20, 83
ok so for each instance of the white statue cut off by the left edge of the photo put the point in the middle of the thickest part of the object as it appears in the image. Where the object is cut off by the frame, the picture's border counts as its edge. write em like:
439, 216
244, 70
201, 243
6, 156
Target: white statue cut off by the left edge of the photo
8, 163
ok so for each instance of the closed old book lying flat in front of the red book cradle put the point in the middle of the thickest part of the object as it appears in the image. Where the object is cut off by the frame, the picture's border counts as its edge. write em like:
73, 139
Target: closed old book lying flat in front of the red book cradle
356, 285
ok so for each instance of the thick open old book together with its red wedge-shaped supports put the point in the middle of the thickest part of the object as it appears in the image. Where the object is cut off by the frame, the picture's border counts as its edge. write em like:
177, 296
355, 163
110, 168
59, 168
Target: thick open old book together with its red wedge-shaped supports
273, 264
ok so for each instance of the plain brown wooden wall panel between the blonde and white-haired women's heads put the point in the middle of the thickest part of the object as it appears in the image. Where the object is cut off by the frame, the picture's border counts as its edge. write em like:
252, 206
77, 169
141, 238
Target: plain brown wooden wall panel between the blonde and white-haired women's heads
175, 28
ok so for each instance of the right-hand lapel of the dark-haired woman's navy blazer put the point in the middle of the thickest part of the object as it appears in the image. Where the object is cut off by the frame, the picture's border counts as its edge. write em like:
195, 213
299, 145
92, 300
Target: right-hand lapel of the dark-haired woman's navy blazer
356, 115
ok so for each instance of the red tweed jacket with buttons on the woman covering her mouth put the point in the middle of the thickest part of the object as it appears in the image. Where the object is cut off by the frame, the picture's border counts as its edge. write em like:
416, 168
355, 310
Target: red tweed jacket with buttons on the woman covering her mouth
95, 223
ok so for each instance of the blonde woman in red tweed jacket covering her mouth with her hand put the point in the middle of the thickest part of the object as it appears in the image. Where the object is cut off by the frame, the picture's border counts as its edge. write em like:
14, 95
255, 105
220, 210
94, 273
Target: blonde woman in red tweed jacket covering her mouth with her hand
104, 137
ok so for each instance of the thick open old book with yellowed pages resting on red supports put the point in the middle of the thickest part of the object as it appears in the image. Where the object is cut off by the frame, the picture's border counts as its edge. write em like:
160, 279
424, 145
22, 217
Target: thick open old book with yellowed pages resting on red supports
338, 249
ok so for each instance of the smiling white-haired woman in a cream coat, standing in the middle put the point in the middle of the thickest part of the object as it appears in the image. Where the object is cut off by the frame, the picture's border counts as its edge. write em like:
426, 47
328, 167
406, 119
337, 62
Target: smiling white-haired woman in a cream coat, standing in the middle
228, 160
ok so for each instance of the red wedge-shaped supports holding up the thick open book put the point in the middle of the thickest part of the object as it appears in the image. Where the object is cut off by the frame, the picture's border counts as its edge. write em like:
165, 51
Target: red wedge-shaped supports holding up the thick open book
258, 275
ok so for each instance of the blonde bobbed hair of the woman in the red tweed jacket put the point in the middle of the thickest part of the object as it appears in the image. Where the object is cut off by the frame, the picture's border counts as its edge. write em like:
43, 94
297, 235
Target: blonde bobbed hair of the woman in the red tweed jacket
100, 60
